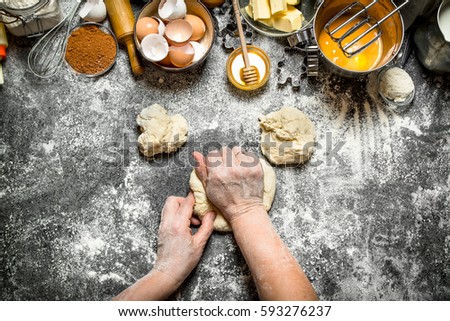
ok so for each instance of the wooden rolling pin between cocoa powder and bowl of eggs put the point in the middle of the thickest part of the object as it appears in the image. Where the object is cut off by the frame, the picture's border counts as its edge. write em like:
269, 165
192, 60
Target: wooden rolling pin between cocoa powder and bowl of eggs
122, 20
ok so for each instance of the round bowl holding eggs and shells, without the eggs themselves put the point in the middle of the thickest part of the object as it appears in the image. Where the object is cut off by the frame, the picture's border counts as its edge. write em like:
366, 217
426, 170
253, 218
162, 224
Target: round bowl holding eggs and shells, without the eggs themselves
194, 7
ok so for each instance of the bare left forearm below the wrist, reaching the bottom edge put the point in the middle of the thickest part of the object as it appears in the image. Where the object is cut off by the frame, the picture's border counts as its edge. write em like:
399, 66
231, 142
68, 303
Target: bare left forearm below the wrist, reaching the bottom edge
155, 286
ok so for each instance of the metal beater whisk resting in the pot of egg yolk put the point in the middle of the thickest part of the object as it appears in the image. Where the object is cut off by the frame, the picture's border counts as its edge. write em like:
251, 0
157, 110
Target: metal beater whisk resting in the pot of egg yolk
366, 19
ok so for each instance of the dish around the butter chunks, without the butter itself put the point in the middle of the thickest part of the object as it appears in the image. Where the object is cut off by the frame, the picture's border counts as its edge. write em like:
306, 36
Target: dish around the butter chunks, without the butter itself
305, 6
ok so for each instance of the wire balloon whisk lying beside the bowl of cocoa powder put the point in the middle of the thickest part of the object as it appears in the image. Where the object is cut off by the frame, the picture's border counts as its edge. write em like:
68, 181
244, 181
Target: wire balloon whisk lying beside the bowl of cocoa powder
47, 54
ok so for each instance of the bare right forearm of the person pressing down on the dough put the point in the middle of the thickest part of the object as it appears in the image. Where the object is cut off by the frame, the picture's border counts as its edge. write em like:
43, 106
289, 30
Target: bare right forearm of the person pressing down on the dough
277, 274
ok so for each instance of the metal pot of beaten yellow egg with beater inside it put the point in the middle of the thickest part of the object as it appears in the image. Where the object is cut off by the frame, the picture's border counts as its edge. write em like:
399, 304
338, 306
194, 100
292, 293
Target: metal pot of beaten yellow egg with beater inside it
356, 38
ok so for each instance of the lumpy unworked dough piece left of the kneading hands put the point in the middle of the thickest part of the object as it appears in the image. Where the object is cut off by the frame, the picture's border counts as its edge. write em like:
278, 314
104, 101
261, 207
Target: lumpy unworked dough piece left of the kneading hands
160, 132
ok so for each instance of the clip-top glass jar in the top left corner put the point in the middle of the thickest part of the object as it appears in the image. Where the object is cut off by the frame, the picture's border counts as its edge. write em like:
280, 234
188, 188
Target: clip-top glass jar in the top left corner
29, 17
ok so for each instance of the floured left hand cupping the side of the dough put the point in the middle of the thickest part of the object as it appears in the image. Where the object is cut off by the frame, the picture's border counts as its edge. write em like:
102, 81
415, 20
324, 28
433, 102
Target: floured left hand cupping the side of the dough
179, 250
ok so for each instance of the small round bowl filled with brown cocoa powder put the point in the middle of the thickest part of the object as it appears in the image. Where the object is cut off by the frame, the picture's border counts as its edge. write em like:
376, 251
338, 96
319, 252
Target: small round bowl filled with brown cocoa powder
91, 49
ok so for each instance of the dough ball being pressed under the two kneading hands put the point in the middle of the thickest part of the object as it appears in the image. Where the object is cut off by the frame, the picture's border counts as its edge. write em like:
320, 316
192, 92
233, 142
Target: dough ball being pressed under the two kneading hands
203, 205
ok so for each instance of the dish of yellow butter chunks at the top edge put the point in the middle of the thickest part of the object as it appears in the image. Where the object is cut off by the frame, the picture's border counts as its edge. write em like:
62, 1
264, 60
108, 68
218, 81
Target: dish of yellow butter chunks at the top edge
277, 18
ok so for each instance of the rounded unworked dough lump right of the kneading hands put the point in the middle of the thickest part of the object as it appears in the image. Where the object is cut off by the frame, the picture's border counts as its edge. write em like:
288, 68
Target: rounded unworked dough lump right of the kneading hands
287, 136
